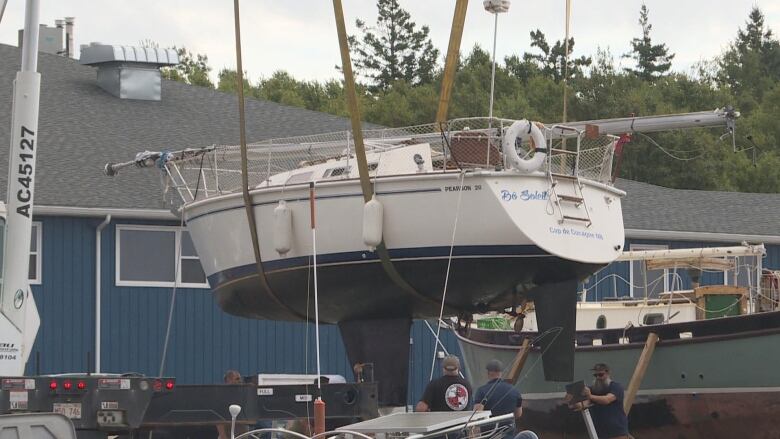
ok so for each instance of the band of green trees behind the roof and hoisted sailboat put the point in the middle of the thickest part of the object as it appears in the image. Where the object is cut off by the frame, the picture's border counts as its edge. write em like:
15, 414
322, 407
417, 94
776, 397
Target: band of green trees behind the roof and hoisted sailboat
747, 76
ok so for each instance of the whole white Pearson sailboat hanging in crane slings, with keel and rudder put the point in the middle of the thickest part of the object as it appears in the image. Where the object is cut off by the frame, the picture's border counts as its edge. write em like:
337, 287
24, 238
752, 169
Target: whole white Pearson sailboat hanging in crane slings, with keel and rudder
475, 215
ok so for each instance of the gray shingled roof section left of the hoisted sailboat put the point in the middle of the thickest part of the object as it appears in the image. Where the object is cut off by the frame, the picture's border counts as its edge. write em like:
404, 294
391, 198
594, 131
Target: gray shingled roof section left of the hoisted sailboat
82, 128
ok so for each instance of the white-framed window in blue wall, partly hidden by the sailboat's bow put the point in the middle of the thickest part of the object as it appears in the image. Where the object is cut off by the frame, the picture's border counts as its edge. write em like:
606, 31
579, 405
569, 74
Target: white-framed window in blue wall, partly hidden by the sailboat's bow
146, 256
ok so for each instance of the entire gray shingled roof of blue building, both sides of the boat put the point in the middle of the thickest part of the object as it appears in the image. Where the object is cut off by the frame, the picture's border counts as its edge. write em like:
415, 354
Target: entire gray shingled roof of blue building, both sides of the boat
82, 127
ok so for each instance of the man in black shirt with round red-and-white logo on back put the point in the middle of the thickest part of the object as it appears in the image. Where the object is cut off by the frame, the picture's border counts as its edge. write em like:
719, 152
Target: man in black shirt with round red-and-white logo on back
449, 392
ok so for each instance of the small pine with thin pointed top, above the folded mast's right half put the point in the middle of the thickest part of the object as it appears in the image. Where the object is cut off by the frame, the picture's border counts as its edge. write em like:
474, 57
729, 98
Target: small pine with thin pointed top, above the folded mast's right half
652, 60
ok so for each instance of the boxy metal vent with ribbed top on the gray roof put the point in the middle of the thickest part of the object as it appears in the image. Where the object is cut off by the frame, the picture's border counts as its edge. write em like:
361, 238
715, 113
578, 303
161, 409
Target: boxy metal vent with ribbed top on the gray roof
129, 72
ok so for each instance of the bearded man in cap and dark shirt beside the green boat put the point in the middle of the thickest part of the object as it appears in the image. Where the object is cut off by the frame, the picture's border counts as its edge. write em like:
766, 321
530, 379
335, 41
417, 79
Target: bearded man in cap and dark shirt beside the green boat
606, 405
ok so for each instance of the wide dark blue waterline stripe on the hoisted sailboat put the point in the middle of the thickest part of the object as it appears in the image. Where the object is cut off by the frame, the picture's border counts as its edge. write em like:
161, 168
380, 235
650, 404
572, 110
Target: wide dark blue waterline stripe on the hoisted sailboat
347, 258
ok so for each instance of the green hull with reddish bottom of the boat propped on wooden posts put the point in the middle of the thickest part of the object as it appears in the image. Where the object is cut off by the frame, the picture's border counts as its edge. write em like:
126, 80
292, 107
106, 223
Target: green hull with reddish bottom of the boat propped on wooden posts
710, 379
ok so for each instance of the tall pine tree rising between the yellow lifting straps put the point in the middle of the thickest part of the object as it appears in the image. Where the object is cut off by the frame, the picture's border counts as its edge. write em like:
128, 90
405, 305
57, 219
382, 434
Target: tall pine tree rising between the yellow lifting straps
394, 49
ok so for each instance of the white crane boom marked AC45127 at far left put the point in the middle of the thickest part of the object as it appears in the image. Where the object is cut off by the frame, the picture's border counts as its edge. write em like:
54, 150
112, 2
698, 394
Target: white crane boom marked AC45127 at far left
19, 322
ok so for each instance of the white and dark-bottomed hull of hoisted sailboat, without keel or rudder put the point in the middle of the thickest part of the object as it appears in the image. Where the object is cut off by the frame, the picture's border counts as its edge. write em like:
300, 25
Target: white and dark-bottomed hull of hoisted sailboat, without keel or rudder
501, 246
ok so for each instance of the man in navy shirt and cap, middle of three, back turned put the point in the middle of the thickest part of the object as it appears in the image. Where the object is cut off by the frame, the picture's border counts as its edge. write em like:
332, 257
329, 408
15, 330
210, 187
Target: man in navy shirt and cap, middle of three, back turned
499, 397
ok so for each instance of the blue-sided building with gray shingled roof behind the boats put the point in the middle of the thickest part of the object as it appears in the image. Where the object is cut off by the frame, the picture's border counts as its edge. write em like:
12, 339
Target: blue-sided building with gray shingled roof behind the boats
84, 220
